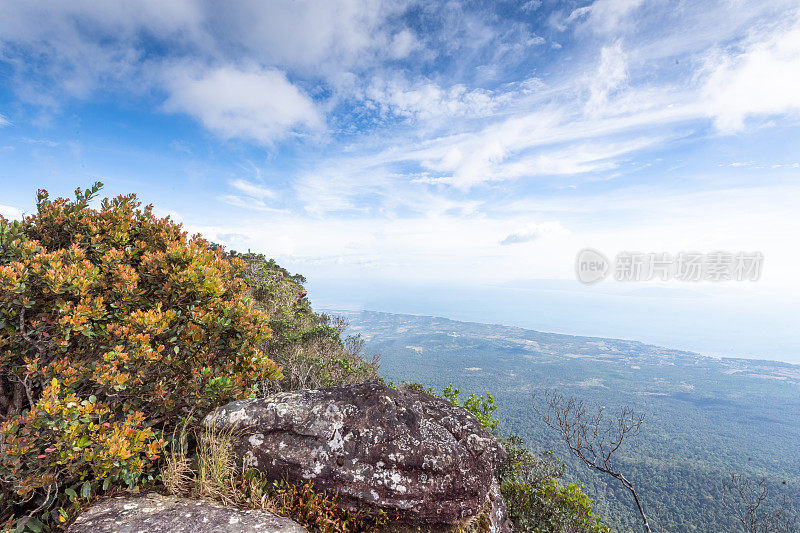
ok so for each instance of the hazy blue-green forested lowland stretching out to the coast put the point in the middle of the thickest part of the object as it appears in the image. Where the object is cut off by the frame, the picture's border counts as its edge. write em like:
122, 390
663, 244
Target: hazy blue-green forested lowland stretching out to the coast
705, 417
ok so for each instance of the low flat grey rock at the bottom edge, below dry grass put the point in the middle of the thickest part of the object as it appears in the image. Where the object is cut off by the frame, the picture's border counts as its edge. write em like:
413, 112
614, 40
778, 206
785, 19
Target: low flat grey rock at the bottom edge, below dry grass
156, 513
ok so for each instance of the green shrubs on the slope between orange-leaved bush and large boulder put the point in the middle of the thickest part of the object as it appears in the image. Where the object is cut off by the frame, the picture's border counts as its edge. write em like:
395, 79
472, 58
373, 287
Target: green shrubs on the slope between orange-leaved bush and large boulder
309, 346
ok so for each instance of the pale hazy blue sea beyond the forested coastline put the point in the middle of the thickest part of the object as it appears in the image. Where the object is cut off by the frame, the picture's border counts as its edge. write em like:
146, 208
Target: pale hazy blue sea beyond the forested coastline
743, 320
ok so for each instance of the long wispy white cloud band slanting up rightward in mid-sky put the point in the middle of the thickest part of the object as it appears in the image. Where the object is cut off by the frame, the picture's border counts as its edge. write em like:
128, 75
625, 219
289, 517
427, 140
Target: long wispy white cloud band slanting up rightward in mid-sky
532, 144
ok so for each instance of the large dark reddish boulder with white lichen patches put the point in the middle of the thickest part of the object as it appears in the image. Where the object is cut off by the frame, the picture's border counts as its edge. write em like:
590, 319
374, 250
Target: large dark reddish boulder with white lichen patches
396, 449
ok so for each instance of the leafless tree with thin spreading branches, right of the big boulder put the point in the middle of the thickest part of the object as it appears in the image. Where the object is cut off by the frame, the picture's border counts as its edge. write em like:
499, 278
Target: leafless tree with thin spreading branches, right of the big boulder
593, 437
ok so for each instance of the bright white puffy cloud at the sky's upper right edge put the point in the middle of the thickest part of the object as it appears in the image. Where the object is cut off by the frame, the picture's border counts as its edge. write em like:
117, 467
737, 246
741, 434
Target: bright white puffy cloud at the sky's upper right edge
764, 79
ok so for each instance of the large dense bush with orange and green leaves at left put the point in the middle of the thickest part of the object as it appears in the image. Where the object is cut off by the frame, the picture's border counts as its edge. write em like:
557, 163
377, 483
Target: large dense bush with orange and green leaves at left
114, 326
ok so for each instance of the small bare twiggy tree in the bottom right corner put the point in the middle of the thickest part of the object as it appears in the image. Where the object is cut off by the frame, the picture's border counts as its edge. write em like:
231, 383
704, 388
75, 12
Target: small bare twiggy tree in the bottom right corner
748, 501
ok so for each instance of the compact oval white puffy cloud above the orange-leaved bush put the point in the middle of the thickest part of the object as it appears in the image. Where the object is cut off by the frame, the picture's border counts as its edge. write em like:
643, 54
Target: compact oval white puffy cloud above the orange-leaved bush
254, 104
